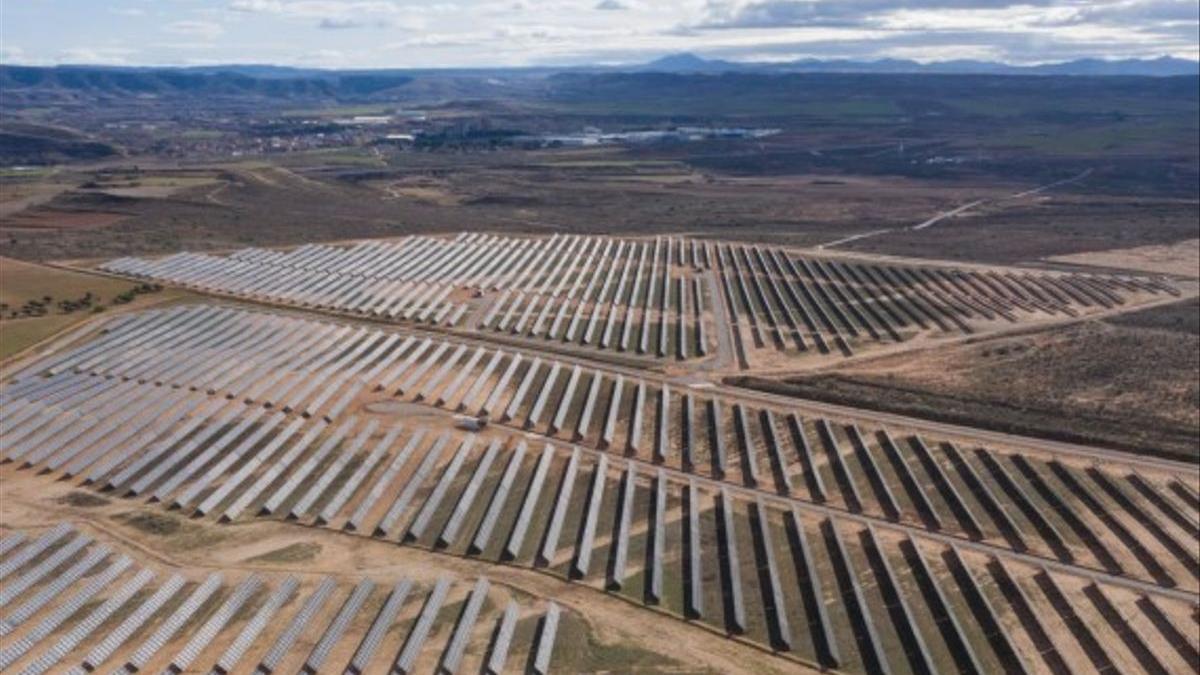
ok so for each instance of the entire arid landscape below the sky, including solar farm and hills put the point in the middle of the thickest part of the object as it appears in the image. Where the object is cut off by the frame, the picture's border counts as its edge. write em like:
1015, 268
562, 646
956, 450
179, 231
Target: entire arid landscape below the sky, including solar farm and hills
599, 373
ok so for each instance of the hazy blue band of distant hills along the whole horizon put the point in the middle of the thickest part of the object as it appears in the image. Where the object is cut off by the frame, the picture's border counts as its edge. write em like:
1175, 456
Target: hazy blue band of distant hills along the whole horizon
715, 77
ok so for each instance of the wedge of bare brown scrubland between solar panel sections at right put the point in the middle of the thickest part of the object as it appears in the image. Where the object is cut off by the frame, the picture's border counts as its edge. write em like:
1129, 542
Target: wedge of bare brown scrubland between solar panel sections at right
1130, 384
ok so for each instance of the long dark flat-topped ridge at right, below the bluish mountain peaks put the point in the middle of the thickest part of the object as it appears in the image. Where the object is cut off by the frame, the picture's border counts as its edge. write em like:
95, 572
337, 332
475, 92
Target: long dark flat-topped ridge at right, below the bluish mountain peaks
1049, 98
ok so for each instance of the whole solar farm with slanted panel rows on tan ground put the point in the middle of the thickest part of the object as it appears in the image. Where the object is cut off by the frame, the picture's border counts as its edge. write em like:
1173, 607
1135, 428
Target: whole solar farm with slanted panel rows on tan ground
539, 431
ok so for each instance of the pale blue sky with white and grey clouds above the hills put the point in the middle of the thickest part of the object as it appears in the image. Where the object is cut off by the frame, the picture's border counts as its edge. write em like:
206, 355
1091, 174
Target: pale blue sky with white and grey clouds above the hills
370, 34
